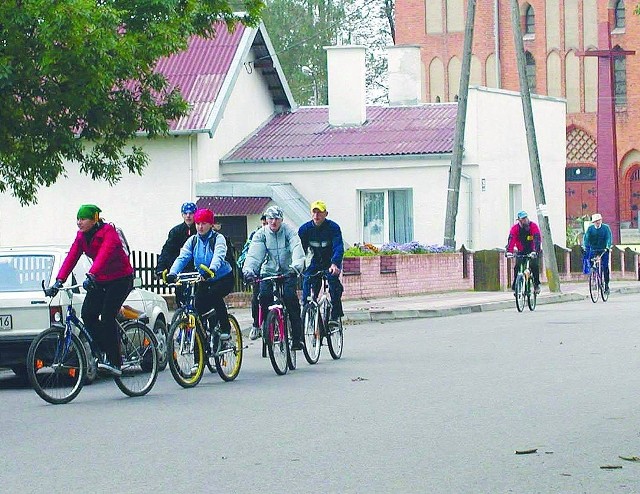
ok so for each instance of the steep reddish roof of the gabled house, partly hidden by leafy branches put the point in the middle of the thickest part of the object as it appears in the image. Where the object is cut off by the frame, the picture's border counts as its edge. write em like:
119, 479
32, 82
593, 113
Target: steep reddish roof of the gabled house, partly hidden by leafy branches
199, 72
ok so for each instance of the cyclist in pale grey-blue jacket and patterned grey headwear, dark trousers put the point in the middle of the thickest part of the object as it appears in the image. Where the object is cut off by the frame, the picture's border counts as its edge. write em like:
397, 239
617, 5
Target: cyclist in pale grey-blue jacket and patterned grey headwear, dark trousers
276, 250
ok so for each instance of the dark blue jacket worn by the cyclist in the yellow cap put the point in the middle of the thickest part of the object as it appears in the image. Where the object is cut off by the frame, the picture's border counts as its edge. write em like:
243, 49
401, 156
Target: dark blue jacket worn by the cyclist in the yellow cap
323, 245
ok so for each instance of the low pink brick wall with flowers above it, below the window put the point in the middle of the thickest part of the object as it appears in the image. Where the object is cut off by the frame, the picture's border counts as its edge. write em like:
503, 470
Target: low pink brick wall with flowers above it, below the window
391, 276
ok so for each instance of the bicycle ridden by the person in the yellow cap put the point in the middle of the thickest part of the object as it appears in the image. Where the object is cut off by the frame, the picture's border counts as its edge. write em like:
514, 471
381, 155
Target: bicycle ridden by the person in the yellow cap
315, 323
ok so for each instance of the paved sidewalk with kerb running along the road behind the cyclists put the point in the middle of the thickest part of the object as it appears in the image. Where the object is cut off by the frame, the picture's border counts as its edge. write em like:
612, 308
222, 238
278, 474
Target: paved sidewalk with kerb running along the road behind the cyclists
451, 303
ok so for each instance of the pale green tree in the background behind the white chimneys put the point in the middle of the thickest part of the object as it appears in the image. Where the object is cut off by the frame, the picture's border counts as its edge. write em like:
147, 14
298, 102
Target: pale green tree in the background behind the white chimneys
300, 29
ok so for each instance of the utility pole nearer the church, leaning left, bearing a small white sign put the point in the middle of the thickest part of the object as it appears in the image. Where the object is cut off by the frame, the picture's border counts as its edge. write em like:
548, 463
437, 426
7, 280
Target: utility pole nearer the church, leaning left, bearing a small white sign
534, 160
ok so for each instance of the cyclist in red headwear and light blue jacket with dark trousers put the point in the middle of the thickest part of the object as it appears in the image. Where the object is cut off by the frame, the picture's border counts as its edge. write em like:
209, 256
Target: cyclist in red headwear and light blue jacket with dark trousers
209, 248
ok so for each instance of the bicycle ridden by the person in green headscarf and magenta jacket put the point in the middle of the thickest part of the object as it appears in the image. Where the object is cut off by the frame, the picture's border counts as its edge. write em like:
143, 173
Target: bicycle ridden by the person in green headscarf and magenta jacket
59, 357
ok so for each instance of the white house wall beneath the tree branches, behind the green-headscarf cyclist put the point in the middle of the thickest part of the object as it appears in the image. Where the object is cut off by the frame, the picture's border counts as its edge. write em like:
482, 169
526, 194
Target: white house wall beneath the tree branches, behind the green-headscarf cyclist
145, 207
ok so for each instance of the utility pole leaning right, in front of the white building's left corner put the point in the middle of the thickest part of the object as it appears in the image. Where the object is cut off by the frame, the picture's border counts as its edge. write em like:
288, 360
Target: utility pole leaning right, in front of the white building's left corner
455, 170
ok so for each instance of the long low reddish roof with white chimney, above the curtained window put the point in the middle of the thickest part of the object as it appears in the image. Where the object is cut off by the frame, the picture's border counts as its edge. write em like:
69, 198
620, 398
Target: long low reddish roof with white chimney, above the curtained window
388, 131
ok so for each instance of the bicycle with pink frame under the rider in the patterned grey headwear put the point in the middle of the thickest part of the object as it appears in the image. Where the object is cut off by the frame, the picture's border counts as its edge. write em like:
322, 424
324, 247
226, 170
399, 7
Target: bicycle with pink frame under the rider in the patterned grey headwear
277, 339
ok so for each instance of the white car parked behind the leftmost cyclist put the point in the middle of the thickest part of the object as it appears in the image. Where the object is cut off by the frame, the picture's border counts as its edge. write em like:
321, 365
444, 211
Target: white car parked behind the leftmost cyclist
25, 311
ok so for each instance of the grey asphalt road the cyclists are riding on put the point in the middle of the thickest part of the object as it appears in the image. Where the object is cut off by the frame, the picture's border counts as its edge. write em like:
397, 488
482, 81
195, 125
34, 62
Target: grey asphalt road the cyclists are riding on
433, 405
